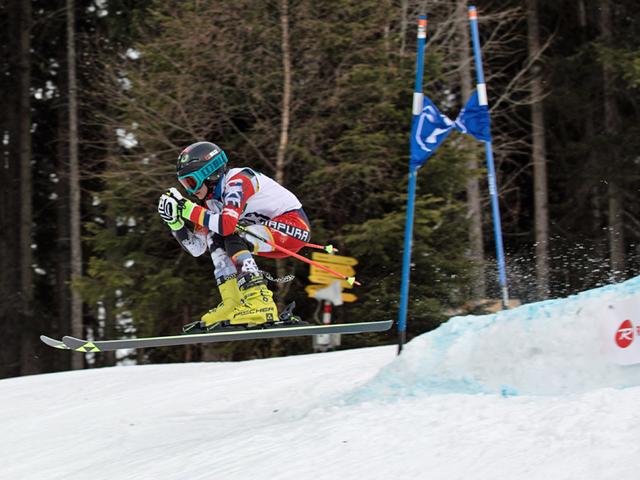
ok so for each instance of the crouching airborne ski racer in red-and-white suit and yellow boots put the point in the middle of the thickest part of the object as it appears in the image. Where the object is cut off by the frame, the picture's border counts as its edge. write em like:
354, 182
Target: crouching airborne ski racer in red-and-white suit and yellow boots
238, 196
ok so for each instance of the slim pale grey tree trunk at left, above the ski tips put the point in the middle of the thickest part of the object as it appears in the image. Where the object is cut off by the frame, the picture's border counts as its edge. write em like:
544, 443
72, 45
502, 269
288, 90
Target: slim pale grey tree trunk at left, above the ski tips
74, 184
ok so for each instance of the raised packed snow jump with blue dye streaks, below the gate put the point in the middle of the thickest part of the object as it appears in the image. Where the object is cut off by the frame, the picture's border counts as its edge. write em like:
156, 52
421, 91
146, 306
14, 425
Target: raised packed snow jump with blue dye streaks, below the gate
545, 348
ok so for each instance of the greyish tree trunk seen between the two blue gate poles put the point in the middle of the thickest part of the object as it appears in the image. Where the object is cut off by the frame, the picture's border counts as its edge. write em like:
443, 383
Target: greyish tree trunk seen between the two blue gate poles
474, 200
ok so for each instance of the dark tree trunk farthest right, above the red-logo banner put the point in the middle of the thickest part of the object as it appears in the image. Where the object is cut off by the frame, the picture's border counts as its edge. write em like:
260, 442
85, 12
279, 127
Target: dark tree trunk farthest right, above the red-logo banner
612, 127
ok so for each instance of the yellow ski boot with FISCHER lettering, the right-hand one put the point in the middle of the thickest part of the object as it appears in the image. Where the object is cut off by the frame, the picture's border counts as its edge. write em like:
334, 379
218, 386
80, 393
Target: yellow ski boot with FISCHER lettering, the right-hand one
257, 306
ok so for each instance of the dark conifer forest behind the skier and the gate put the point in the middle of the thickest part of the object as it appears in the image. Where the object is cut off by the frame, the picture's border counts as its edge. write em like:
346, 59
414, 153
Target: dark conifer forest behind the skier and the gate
99, 97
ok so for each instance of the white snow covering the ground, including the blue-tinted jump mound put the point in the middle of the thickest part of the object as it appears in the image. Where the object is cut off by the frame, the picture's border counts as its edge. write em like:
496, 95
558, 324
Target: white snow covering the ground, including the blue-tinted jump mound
523, 394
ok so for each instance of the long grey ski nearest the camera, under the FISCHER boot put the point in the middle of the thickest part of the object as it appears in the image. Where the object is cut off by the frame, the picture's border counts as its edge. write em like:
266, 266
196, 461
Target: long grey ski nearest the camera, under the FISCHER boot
81, 345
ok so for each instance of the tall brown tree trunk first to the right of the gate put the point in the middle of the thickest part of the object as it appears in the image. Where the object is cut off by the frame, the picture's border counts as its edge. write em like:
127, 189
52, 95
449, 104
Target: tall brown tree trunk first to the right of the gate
540, 189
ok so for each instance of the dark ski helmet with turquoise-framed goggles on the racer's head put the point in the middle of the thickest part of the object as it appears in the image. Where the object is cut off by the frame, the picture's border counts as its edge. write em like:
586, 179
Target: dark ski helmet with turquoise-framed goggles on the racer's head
199, 163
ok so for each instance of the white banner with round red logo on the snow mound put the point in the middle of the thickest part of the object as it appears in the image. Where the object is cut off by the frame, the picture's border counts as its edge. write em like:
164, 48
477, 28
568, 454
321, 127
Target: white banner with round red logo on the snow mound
621, 330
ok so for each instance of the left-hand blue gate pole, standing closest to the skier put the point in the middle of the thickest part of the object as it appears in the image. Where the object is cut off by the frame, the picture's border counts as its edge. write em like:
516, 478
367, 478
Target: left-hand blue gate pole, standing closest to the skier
411, 199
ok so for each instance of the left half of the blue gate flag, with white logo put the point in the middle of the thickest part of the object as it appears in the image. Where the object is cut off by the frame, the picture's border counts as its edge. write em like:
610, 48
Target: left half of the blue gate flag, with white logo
428, 131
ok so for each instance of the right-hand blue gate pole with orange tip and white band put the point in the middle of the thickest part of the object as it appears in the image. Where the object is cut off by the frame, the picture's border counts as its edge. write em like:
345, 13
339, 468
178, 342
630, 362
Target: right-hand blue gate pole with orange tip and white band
481, 88
